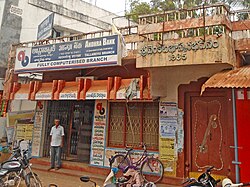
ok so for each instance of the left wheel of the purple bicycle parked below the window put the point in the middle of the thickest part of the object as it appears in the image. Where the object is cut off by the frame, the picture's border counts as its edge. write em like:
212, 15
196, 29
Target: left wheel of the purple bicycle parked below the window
119, 162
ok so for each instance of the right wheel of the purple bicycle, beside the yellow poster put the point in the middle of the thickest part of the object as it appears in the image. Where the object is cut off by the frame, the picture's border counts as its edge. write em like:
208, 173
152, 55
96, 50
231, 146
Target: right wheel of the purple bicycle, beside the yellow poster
152, 170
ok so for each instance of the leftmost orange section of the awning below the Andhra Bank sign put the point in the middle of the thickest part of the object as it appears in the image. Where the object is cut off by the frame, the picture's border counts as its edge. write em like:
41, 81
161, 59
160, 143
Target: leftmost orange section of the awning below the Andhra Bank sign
22, 91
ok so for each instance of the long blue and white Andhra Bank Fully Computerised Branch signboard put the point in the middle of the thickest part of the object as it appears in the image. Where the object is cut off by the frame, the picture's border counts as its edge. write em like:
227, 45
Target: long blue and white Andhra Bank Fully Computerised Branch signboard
96, 52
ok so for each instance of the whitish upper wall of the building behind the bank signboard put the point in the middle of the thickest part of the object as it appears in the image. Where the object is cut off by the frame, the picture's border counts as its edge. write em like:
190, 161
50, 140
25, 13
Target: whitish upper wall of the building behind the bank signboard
71, 17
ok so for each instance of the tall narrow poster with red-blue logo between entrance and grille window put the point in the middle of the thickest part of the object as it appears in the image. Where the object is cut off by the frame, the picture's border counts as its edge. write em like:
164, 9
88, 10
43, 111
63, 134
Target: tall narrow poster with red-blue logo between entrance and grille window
98, 133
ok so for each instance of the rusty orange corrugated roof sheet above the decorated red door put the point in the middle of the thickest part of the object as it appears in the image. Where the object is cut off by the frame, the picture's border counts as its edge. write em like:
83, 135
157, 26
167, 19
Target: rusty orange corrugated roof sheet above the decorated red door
237, 78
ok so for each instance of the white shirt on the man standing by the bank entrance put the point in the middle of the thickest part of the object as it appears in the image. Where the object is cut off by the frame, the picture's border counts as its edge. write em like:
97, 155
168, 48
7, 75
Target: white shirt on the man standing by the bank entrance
56, 135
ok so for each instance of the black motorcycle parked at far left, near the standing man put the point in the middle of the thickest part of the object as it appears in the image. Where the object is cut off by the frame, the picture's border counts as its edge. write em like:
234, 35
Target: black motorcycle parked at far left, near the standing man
17, 169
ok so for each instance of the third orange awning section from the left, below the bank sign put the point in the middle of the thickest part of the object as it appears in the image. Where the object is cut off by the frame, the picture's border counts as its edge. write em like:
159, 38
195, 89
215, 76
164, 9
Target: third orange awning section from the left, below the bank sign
69, 90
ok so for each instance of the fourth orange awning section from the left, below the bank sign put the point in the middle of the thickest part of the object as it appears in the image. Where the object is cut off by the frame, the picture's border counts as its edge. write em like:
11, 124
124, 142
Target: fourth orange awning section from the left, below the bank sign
96, 89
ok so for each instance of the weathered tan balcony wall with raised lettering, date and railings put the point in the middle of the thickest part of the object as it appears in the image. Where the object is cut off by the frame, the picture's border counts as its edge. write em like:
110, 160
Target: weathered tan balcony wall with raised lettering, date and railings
201, 35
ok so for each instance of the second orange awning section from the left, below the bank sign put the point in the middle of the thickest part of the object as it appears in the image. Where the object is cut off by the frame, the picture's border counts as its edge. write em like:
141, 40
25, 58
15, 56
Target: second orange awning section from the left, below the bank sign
44, 91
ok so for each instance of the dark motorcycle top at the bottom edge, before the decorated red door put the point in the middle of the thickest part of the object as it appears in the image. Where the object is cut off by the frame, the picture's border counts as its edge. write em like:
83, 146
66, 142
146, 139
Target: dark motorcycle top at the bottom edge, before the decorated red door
204, 180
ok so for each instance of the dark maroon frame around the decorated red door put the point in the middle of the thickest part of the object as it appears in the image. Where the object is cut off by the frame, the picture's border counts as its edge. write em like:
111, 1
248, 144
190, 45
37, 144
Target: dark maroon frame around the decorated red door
185, 92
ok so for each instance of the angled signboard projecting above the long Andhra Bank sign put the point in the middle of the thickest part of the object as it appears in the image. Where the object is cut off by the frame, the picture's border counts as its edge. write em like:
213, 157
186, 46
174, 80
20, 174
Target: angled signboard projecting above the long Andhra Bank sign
45, 28
